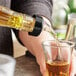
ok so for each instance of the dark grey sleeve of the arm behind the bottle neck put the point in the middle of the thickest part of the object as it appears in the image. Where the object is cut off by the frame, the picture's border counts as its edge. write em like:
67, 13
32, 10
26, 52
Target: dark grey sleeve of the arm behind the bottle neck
32, 7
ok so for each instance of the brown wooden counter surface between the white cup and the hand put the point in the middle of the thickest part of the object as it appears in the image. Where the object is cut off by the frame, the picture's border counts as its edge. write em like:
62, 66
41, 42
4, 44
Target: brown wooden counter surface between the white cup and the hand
27, 66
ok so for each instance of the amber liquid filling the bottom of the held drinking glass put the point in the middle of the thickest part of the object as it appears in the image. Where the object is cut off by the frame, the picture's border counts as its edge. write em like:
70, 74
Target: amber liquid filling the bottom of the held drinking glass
58, 68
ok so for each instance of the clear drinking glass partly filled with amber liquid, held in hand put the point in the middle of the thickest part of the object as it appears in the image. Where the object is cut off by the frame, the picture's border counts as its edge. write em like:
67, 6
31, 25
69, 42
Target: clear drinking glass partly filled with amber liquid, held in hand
58, 57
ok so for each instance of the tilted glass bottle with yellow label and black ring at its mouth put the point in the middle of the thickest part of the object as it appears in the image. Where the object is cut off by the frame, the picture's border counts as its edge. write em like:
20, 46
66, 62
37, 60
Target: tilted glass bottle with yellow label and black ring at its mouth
20, 21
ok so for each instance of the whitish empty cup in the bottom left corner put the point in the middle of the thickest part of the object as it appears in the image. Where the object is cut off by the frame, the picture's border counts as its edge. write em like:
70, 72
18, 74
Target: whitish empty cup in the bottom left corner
7, 65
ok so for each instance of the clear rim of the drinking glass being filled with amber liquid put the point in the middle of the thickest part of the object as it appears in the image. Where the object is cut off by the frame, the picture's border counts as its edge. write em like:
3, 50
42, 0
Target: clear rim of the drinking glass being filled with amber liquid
71, 44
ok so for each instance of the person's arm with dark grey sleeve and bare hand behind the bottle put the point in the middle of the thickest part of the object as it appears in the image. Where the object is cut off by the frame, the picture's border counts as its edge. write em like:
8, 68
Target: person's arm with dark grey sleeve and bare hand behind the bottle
34, 44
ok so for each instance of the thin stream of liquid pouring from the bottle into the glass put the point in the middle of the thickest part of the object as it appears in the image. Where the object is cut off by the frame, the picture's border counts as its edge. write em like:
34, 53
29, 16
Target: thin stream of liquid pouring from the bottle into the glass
51, 31
